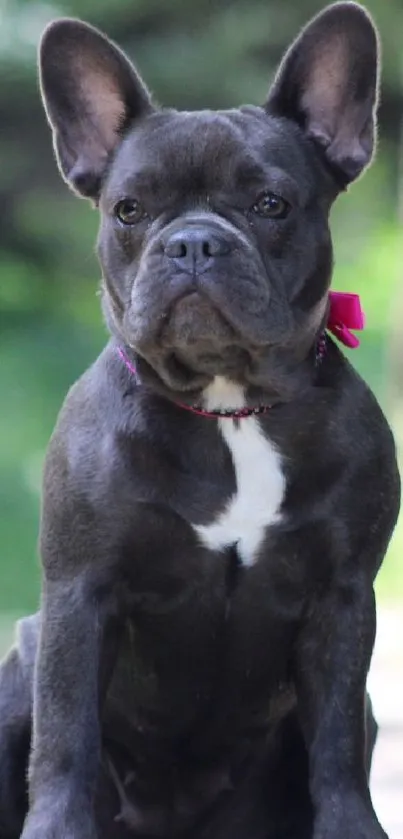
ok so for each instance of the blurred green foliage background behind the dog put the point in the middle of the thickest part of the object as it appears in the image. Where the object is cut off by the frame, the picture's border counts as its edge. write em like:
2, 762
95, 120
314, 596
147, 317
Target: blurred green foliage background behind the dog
193, 53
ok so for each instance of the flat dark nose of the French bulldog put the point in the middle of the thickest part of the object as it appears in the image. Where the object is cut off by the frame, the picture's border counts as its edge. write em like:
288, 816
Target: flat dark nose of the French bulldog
194, 249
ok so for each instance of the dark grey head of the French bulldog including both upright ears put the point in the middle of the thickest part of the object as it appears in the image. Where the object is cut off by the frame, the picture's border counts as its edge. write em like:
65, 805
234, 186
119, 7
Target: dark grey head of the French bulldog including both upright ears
214, 238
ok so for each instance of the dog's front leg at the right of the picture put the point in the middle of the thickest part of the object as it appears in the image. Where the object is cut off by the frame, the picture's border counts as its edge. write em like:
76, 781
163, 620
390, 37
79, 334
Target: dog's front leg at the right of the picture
333, 659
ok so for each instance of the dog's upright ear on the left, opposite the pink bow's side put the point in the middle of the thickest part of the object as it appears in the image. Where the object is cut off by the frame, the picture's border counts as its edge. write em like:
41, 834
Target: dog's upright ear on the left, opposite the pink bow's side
91, 93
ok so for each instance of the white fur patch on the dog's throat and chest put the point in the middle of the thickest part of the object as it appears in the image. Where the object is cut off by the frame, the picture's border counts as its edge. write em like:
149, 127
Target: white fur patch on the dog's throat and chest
260, 482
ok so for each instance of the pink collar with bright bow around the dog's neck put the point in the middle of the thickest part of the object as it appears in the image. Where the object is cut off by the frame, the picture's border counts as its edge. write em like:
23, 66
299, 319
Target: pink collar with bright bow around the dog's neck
345, 314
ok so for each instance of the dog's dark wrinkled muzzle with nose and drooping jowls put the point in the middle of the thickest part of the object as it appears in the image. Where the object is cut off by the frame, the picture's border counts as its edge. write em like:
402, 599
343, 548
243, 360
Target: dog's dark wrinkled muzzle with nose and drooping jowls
202, 291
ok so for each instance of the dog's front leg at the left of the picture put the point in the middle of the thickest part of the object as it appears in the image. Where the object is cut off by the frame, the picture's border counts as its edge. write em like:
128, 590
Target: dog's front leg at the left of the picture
66, 738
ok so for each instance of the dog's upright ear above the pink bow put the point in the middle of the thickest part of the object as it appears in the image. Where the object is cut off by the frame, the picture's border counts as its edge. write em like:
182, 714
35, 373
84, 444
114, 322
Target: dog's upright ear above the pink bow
328, 83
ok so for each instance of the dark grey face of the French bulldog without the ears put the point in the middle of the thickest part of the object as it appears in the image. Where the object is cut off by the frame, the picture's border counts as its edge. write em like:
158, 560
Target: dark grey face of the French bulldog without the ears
209, 249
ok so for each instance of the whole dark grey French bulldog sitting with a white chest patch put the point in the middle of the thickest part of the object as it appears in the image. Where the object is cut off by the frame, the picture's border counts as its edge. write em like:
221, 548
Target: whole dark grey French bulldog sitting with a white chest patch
221, 486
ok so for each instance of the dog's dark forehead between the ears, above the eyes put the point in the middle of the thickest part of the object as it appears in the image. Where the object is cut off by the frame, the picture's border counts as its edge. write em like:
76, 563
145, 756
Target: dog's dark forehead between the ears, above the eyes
199, 154
